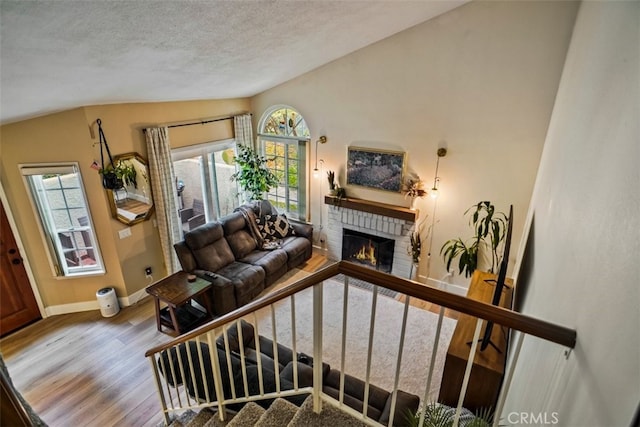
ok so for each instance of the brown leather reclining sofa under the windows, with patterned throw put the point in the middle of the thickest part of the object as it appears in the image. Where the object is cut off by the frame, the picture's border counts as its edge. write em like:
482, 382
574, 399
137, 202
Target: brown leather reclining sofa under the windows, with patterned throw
229, 253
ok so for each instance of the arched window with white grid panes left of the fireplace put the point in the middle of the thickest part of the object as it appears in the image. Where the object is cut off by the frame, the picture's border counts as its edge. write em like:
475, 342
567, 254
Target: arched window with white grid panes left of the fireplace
283, 138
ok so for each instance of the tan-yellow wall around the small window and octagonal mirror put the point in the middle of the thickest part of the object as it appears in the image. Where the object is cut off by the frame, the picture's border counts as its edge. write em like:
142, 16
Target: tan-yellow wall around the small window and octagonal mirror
72, 136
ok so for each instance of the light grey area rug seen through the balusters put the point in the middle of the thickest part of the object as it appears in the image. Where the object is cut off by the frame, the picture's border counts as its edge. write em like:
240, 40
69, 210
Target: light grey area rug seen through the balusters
419, 338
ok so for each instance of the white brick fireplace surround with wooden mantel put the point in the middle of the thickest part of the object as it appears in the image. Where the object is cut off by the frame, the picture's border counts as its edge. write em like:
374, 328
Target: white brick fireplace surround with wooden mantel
393, 222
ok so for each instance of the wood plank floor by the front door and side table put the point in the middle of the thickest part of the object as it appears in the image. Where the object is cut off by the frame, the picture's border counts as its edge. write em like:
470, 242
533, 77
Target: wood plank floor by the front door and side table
82, 369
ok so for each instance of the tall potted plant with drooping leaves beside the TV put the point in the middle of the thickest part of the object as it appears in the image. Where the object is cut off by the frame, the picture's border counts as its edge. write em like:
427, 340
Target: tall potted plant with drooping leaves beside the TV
489, 227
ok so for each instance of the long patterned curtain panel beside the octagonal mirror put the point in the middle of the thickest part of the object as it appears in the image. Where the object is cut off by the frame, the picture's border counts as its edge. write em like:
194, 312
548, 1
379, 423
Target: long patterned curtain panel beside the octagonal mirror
165, 194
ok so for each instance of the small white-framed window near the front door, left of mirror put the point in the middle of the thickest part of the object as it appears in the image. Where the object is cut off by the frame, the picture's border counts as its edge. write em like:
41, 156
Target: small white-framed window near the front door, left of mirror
60, 203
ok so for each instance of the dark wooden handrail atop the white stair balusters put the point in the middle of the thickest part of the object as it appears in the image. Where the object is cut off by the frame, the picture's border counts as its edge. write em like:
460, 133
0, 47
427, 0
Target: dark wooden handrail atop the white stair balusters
529, 325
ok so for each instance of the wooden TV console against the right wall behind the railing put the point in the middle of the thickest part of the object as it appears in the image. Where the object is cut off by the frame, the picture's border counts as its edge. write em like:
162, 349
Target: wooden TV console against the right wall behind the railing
488, 365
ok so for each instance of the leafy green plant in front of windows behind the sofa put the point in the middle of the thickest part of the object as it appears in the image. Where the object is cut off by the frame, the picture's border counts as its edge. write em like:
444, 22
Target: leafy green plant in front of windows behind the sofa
253, 175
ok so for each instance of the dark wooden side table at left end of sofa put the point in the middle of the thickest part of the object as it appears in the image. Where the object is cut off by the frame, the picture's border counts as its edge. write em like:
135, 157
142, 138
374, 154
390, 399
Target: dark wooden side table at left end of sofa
179, 315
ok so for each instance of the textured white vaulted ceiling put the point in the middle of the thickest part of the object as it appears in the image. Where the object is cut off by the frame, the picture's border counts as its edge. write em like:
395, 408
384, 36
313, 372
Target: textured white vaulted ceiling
56, 55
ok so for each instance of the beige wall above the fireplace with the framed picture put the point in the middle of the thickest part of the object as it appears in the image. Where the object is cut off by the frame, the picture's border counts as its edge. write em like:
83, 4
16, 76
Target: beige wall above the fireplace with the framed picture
479, 80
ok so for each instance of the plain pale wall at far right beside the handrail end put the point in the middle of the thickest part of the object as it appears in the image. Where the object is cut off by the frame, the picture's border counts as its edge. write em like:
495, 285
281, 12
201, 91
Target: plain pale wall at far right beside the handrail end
582, 264
